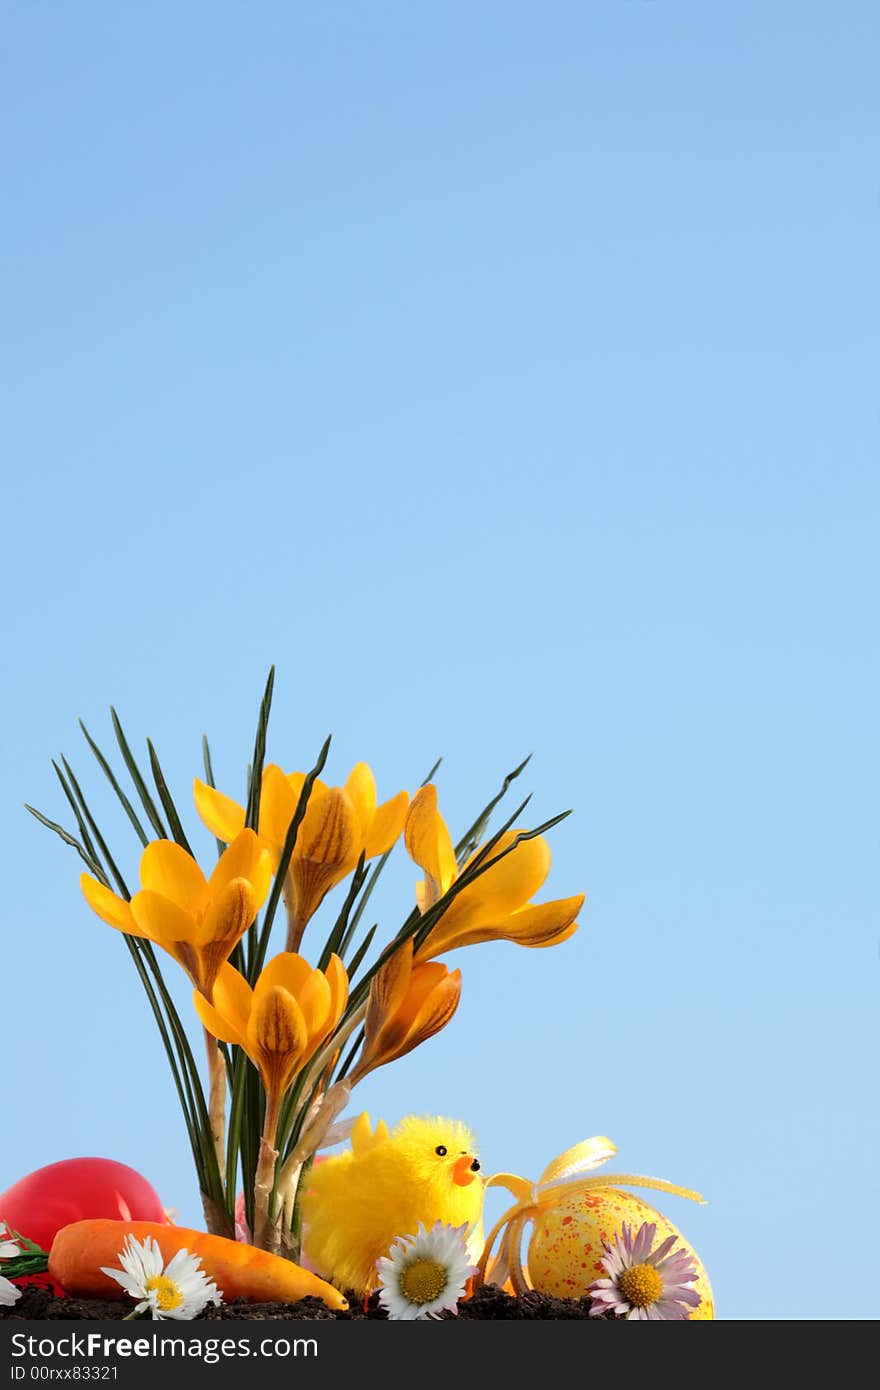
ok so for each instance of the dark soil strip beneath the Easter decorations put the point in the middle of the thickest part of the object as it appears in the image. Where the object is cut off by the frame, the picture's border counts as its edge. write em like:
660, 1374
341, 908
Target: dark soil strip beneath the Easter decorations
487, 1303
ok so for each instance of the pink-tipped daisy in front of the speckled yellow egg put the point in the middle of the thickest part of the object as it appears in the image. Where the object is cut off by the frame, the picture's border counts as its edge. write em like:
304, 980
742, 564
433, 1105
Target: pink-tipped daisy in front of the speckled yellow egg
643, 1282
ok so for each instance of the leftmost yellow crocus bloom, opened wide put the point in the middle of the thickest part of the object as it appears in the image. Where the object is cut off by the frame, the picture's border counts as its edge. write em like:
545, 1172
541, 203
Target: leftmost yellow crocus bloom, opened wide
195, 919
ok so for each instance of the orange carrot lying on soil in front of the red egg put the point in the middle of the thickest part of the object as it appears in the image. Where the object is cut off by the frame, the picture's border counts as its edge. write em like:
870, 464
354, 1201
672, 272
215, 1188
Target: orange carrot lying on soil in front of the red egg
240, 1271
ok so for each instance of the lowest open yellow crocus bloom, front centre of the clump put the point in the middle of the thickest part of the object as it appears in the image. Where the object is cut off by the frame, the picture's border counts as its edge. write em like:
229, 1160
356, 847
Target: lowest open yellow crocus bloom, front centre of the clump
283, 1021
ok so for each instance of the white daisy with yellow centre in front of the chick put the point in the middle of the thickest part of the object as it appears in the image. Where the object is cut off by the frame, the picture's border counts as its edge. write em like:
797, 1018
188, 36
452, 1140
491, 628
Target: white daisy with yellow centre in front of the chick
426, 1274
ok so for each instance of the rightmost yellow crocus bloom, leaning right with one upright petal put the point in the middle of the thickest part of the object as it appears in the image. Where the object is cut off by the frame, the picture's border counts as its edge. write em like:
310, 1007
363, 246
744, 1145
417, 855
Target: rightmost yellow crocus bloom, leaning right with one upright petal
496, 906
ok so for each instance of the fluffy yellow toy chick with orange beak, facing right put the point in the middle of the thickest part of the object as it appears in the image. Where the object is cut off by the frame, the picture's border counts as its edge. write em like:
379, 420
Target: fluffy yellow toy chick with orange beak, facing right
358, 1203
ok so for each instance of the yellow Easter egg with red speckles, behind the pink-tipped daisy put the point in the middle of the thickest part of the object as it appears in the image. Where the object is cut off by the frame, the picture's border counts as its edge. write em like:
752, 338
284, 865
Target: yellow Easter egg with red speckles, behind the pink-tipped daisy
567, 1248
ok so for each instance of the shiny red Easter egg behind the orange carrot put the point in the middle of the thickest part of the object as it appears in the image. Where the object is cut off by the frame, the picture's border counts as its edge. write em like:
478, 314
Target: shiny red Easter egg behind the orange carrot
77, 1189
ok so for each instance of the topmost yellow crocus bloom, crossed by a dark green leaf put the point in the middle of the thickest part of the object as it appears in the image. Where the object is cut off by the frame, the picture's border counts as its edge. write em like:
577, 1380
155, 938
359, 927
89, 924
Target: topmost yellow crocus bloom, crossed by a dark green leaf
340, 825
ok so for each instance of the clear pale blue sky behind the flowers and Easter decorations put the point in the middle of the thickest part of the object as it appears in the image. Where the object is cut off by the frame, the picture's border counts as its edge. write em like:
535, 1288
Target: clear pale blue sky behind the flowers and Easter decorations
507, 375
